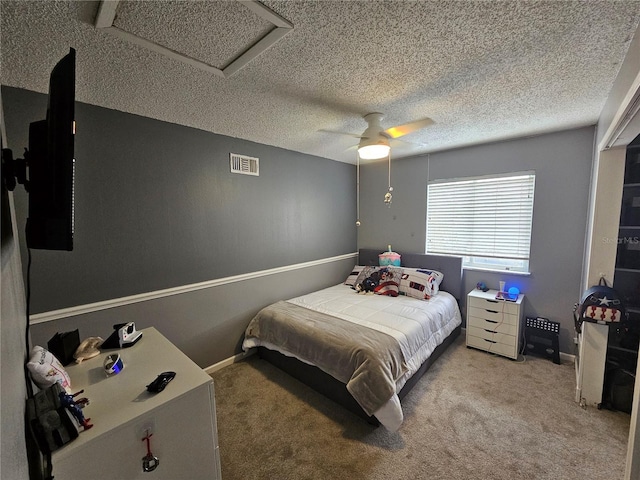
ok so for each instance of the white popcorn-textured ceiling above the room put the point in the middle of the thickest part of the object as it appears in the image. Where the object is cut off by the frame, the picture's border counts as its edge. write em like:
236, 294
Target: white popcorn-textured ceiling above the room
482, 70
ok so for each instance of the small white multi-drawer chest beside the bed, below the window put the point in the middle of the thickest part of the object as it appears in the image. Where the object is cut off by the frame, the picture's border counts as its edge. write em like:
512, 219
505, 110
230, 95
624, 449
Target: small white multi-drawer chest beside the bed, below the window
494, 325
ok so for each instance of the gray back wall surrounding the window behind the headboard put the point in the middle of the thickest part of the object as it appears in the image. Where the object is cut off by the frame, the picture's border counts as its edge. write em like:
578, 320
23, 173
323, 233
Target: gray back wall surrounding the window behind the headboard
562, 162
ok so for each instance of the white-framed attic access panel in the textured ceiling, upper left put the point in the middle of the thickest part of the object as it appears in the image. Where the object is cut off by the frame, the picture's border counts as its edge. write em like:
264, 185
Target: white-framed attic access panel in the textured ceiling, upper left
219, 37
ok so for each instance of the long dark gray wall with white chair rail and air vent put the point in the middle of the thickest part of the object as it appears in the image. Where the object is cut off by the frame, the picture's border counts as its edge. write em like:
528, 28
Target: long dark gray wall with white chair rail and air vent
156, 207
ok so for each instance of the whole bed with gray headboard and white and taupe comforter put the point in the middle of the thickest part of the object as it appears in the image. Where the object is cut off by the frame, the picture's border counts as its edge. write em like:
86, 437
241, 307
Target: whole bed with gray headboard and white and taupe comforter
364, 351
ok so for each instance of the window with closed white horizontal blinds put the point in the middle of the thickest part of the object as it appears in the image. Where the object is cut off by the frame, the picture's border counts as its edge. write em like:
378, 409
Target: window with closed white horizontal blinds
486, 220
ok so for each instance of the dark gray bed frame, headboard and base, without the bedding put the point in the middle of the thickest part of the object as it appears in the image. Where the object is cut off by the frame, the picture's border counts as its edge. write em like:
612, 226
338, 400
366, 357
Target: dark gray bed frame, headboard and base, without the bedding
337, 391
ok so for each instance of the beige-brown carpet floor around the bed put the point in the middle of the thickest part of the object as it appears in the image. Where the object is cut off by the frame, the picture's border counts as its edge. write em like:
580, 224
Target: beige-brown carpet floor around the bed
473, 415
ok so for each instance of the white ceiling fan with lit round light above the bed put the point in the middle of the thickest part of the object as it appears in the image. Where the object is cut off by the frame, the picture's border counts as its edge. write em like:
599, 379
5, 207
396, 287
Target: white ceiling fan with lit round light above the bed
375, 141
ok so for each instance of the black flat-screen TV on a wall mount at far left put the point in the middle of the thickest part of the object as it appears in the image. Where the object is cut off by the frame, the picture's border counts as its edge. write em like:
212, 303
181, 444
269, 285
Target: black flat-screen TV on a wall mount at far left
49, 161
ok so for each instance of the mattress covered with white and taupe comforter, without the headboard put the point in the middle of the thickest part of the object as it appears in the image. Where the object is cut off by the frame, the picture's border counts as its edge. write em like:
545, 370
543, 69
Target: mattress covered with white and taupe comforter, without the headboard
372, 343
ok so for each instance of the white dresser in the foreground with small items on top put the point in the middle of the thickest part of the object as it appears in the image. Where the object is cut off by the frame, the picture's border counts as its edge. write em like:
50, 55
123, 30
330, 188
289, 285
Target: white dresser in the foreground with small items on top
181, 419
